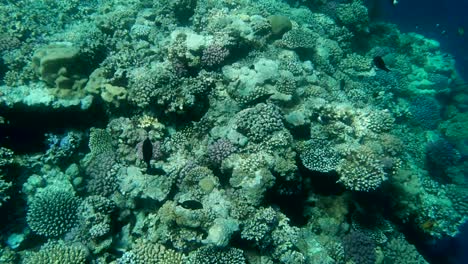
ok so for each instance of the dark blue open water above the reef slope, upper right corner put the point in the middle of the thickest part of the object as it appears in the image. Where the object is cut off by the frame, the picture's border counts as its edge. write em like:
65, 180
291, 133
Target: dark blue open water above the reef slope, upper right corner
437, 19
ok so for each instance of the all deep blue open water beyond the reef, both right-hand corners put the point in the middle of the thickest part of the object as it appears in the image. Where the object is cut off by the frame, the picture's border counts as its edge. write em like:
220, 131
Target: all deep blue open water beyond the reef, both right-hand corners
440, 20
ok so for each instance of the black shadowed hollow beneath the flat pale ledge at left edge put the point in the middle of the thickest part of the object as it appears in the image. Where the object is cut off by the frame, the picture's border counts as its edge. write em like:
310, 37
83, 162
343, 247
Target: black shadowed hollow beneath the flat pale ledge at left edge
26, 127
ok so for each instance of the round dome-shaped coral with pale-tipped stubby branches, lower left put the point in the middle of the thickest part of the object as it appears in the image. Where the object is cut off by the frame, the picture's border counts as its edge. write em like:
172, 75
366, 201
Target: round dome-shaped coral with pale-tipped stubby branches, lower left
53, 213
